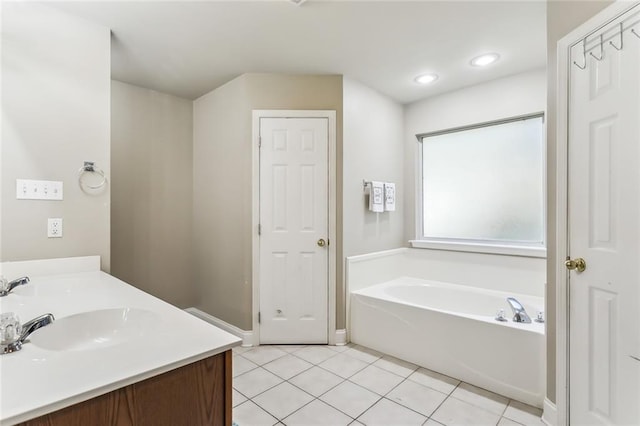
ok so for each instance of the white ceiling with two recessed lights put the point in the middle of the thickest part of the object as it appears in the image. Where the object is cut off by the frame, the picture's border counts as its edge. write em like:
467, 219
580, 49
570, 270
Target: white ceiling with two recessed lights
189, 48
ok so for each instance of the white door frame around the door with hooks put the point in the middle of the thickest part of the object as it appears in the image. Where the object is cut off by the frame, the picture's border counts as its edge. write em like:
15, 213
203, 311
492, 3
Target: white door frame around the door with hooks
593, 25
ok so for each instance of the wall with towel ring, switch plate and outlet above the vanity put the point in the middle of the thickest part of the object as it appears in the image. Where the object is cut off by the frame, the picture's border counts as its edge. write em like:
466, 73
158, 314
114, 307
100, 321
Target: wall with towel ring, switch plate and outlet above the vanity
55, 115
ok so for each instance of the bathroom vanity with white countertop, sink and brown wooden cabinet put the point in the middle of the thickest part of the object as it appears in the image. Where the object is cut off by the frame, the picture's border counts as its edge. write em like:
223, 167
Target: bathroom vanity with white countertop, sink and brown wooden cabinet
114, 355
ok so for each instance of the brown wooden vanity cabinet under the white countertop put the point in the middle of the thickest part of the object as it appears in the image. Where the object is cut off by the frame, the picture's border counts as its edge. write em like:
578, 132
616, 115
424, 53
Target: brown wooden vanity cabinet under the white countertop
193, 395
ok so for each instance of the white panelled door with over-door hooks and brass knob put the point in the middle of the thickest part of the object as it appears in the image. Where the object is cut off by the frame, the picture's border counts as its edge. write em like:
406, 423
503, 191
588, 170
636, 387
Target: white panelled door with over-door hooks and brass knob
604, 230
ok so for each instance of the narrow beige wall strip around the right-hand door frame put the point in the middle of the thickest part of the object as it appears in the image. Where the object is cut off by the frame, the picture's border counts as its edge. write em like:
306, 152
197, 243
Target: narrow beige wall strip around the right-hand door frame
562, 18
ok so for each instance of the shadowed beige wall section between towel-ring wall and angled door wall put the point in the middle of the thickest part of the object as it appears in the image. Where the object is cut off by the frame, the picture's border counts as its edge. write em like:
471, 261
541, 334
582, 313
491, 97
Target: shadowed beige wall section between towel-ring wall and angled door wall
151, 192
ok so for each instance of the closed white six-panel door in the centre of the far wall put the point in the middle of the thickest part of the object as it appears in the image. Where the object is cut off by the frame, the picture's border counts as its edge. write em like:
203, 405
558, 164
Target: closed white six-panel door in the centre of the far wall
294, 190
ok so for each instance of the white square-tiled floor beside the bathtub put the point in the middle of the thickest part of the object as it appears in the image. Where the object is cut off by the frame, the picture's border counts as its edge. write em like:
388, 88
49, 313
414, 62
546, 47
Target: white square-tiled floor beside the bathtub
353, 385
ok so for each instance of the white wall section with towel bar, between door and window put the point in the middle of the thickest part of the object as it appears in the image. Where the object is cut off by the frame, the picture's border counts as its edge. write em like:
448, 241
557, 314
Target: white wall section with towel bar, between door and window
373, 149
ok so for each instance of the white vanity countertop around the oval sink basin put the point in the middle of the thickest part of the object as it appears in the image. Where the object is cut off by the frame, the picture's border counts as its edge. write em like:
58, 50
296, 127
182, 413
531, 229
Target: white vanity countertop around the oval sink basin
35, 381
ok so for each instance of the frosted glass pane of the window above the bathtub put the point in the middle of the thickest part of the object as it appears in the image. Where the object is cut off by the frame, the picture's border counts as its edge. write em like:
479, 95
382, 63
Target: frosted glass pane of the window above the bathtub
485, 183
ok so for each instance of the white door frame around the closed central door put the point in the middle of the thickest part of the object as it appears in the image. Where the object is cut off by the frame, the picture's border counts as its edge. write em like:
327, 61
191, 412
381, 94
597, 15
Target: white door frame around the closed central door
332, 215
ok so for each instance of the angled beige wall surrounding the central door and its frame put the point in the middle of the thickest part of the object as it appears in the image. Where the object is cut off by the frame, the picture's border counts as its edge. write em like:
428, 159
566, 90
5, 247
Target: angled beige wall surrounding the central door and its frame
222, 179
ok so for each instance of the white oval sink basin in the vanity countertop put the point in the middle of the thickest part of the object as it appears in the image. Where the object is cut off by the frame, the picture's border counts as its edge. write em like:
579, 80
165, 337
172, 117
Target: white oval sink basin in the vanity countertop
95, 329
